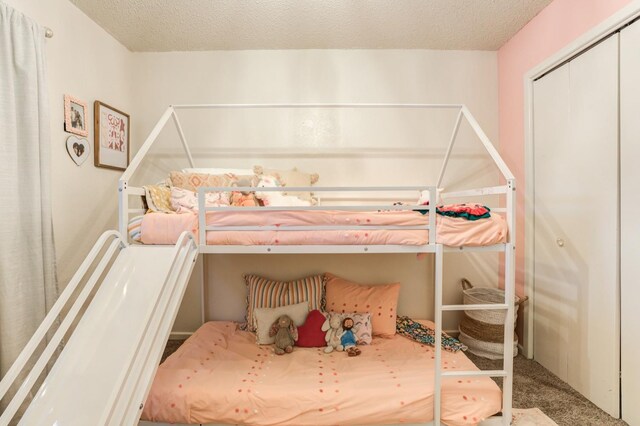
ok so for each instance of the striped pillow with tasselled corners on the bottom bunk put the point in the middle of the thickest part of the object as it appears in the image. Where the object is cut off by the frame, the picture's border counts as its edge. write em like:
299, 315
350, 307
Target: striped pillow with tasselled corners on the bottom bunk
265, 293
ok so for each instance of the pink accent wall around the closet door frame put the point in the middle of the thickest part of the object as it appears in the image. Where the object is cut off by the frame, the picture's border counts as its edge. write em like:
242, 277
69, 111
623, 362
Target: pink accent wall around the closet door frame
552, 29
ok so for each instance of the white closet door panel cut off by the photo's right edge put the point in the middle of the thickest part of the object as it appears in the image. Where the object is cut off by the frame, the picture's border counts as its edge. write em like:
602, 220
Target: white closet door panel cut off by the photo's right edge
629, 221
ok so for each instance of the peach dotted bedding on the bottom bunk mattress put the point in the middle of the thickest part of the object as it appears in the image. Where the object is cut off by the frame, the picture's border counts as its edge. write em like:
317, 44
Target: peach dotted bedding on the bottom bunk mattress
220, 375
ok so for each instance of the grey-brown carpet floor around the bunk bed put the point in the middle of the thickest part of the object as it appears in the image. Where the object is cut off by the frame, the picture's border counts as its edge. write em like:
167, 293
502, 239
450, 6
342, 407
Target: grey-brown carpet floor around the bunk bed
533, 386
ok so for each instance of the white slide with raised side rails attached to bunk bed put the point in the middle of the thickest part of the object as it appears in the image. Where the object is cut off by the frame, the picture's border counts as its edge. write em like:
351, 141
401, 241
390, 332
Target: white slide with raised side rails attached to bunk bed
105, 370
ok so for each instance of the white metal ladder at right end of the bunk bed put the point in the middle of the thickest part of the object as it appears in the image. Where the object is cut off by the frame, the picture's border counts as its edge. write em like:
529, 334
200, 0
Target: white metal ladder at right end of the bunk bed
507, 367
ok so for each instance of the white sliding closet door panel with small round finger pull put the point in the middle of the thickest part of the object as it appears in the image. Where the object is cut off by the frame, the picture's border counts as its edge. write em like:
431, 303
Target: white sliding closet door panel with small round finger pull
576, 314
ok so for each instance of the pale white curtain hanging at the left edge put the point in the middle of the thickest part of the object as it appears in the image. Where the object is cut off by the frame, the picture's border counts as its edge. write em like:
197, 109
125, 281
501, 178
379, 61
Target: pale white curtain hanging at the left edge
28, 286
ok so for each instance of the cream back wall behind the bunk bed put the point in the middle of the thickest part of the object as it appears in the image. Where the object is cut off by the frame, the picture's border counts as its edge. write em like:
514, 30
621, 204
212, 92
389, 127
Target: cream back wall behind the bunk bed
323, 76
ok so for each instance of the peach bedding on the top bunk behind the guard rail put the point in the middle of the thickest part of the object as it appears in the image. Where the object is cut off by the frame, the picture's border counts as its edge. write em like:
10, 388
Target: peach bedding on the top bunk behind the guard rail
161, 228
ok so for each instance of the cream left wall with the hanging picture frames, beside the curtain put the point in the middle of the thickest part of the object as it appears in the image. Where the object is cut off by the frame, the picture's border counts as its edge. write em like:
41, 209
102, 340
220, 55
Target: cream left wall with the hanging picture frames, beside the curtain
86, 62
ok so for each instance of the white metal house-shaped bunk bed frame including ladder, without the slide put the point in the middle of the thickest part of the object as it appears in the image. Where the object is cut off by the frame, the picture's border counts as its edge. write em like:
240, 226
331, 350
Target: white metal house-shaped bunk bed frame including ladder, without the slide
508, 190
